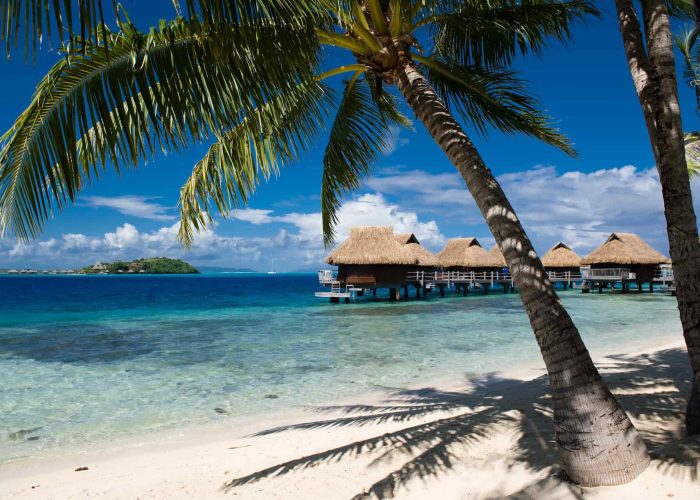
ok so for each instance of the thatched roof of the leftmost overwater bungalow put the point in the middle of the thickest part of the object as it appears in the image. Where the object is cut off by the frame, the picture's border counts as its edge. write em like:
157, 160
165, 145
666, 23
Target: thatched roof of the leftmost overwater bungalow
372, 245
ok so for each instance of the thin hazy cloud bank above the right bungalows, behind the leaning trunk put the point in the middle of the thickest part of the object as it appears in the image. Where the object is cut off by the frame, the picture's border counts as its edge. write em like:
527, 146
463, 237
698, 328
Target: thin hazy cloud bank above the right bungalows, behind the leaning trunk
579, 208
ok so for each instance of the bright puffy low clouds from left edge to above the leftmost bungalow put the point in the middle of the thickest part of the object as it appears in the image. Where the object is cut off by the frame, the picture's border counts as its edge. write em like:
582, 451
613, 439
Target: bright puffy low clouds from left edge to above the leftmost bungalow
300, 244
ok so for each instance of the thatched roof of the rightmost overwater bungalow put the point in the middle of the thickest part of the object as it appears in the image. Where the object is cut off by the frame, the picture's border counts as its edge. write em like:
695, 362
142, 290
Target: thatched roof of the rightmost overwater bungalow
624, 249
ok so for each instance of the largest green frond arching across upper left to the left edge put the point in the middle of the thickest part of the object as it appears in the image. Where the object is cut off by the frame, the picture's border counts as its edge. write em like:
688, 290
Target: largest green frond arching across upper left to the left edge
150, 92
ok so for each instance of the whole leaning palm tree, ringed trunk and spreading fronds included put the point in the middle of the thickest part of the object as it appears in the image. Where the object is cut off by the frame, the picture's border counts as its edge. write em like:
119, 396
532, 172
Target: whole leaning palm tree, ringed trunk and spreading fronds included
248, 74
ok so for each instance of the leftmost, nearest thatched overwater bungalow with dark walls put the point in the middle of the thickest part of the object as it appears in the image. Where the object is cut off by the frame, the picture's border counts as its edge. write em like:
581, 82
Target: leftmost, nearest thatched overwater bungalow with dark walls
372, 257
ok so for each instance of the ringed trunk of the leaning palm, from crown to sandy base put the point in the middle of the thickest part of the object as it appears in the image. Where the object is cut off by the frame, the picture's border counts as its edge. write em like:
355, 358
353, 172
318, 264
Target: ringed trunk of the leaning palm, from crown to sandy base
597, 442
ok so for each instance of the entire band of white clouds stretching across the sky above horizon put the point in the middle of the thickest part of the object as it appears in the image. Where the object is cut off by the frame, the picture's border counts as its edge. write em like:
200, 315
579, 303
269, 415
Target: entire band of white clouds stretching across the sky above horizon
579, 208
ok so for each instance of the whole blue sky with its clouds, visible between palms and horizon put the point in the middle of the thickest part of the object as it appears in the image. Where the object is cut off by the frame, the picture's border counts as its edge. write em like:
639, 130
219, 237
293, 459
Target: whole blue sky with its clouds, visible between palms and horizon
584, 85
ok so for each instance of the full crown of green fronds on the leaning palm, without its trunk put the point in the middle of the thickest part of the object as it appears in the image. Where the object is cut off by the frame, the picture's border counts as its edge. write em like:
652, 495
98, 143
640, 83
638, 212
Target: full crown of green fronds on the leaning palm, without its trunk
120, 96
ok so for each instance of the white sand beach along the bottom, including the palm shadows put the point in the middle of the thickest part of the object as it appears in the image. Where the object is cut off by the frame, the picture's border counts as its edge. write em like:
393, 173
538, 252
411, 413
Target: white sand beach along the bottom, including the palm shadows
481, 438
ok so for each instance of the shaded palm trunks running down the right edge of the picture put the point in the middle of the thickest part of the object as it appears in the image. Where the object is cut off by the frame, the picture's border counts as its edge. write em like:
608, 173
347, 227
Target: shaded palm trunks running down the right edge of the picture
652, 66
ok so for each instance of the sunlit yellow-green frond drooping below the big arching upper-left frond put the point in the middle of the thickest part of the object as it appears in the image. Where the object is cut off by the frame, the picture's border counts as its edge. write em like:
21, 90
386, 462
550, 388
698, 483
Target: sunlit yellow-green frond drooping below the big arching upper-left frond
265, 139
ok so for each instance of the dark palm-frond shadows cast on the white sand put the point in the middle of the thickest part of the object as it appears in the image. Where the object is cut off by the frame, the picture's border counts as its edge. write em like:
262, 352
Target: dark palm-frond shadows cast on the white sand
646, 388
